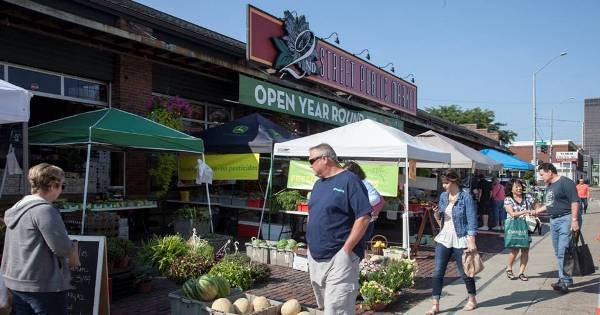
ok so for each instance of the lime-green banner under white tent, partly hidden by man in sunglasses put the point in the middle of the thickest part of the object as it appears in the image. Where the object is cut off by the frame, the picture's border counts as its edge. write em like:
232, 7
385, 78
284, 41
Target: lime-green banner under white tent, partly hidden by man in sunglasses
383, 176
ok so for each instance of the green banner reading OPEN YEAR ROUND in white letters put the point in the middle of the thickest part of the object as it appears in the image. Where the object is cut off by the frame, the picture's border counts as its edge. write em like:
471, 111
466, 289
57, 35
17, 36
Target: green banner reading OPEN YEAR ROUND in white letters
273, 97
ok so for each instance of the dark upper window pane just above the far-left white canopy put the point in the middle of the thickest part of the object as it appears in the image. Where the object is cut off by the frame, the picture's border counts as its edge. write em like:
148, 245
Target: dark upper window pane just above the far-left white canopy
34, 81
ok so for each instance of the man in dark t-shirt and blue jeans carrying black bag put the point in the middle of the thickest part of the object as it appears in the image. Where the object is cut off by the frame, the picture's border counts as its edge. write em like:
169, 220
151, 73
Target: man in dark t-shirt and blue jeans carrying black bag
562, 204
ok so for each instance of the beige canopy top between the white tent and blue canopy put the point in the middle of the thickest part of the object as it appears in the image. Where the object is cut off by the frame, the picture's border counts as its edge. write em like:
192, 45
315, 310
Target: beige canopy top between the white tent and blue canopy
461, 156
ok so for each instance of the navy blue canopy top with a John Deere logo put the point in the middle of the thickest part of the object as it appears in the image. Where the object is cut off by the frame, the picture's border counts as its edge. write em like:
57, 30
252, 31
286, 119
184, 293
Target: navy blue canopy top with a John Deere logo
252, 133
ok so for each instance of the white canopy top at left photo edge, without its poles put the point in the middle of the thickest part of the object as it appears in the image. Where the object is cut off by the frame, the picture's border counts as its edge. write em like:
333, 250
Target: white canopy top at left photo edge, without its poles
14, 103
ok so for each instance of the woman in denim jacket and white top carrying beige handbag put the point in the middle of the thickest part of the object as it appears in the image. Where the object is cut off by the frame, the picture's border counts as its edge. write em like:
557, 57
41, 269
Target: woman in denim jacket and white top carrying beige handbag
459, 222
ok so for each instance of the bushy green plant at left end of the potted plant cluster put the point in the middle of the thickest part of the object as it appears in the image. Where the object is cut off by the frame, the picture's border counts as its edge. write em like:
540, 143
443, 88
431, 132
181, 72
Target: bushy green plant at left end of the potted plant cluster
160, 252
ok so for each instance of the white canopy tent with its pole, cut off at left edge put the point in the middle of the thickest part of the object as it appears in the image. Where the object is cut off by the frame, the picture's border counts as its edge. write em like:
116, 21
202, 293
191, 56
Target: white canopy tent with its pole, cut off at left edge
14, 108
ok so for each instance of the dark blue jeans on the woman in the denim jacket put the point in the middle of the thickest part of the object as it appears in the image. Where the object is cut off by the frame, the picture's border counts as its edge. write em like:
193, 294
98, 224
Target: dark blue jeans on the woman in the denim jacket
442, 257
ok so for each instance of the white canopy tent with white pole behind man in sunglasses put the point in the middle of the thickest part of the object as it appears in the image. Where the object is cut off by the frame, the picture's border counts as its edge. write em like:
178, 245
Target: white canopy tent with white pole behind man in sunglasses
372, 140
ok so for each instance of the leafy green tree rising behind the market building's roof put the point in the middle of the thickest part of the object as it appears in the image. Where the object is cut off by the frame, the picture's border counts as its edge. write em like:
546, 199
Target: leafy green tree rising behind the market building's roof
484, 118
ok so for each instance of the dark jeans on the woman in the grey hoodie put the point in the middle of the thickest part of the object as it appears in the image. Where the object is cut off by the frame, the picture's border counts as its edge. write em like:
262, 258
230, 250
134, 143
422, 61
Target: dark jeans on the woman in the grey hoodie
42, 303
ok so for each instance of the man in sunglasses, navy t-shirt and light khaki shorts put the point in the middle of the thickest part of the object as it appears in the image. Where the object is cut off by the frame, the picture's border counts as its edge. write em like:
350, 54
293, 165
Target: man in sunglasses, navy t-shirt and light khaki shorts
339, 214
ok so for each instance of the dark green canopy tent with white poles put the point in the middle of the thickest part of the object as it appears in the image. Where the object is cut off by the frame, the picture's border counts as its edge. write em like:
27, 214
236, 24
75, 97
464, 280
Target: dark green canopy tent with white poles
111, 127
